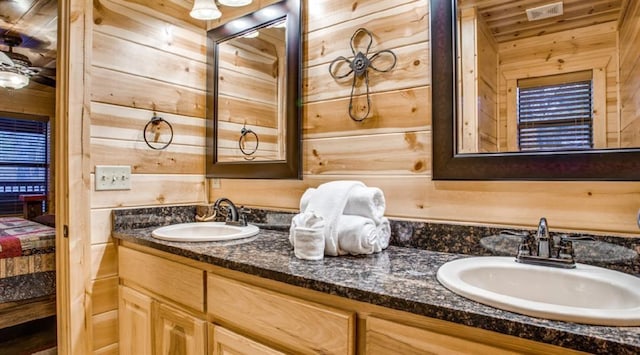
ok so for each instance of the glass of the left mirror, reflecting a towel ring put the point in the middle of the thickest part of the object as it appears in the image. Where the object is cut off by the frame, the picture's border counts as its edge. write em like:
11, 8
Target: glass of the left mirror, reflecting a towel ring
251, 120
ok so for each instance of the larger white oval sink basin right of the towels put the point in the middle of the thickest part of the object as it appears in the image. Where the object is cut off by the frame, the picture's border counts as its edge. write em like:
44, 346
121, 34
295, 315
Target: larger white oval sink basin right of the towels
586, 294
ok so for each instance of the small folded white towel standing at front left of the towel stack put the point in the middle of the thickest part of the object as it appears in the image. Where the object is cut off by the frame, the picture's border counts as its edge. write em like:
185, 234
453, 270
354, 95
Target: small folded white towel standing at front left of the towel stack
307, 236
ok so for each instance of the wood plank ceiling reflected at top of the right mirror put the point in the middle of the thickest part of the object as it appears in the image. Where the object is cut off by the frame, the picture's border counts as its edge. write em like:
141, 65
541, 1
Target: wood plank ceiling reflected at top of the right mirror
507, 20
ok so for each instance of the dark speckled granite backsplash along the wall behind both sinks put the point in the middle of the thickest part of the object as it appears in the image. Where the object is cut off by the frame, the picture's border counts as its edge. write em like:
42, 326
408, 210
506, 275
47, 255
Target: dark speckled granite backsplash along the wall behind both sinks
618, 253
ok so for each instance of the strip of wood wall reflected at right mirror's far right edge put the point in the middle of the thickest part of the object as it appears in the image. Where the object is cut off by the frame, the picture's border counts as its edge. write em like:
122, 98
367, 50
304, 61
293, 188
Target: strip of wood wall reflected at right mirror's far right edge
630, 76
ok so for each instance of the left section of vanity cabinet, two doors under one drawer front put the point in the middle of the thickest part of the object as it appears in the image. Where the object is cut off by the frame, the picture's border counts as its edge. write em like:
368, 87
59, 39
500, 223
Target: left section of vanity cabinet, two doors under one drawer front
161, 306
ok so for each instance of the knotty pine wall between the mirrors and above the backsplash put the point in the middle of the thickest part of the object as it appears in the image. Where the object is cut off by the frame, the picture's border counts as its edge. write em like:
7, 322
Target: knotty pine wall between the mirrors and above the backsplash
392, 148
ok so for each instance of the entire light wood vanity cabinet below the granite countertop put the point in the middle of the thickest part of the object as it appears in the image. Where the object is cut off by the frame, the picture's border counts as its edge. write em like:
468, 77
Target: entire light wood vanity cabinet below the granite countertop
181, 306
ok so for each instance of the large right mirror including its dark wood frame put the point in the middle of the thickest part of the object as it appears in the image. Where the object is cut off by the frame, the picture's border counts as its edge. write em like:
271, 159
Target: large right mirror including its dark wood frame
511, 61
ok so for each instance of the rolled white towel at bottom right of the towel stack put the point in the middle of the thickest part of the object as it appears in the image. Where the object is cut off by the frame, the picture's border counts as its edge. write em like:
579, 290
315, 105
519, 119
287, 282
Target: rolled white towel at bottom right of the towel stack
356, 235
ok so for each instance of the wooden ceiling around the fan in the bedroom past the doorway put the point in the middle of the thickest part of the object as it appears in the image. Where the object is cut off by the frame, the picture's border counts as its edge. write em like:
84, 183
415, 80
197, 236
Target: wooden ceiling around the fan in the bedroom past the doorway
36, 22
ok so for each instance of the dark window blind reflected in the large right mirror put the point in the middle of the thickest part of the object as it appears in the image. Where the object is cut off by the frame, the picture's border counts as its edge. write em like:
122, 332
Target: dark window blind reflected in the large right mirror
555, 117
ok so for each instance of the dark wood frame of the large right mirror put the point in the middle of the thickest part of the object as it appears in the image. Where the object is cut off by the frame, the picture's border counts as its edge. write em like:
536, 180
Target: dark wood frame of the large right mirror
603, 164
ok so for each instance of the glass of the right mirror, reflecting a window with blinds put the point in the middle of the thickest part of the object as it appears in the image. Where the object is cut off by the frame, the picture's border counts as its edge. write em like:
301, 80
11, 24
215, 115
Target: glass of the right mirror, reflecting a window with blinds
545, 76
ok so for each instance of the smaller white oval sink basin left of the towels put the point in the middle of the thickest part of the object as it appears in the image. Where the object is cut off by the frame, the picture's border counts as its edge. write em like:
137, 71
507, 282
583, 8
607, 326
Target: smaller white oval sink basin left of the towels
204, 232
